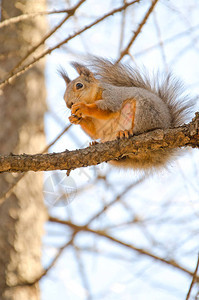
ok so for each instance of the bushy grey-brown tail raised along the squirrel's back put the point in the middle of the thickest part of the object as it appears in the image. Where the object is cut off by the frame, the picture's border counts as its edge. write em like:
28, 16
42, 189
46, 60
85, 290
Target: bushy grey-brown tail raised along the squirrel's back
167, 87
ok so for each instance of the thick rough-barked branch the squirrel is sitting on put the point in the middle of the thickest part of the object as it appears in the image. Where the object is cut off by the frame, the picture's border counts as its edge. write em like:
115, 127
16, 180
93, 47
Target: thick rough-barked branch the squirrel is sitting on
186, 135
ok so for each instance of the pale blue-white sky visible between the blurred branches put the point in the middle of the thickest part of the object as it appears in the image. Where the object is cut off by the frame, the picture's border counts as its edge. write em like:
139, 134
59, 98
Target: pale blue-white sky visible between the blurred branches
169, 195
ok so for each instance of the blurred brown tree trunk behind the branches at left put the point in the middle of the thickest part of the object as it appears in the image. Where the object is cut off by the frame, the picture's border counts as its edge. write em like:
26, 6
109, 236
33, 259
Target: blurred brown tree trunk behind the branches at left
22, 105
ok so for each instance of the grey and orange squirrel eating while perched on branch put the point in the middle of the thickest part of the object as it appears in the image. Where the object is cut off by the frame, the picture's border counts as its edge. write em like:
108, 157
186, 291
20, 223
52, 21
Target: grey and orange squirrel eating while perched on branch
113, 100
